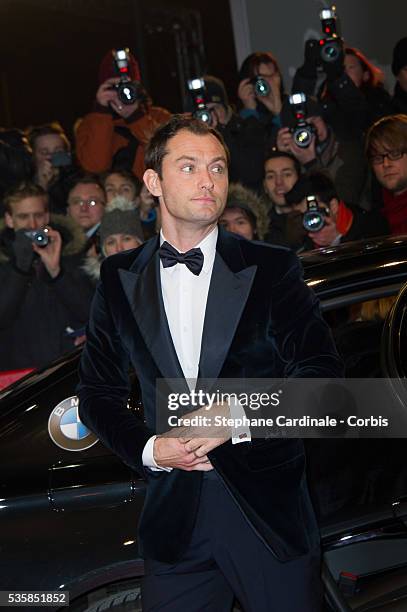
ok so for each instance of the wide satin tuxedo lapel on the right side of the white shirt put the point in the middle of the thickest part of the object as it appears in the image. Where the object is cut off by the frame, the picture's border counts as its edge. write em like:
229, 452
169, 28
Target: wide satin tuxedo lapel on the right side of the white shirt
228, 292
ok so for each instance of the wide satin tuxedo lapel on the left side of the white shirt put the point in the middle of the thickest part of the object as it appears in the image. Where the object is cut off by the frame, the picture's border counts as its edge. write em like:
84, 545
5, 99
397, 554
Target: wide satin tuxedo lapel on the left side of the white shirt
143, 290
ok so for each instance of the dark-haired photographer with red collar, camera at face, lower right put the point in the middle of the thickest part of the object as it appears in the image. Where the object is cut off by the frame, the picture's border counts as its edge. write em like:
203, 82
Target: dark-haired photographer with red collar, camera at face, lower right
332, 222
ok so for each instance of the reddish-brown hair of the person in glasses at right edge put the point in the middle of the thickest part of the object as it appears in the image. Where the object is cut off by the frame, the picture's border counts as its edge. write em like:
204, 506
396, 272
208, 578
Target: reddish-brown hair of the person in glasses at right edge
389, 132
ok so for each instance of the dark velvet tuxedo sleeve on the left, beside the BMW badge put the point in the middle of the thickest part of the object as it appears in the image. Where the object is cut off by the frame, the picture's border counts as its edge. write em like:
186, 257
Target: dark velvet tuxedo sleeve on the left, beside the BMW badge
104, 388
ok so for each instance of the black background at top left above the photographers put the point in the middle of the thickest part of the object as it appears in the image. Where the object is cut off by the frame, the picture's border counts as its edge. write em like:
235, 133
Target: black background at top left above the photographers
50, 51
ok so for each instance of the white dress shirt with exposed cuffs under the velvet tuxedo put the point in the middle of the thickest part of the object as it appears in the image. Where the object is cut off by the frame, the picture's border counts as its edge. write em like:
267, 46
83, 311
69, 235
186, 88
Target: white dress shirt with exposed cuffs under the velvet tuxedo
185, 296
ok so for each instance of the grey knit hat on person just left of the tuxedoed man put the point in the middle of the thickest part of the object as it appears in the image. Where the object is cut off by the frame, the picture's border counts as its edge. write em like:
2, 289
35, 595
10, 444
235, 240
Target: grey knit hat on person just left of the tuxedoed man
120, 218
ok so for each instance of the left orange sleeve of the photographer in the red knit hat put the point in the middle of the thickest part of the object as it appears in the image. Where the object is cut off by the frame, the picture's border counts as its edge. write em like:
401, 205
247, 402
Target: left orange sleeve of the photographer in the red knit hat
94, 142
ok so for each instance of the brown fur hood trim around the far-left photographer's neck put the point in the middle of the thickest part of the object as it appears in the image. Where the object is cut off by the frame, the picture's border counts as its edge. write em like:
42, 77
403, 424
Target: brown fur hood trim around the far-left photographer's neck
73, 237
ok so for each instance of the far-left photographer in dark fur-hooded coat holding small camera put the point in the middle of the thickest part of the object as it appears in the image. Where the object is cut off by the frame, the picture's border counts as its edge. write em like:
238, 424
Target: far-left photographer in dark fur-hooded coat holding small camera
44, 291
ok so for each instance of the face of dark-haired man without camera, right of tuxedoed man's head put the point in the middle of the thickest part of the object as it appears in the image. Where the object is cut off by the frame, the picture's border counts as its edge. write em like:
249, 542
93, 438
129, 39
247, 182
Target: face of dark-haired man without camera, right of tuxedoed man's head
280, 177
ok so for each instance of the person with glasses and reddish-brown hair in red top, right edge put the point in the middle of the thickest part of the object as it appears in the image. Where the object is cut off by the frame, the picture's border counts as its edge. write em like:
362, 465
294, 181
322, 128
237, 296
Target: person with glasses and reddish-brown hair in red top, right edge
386, 147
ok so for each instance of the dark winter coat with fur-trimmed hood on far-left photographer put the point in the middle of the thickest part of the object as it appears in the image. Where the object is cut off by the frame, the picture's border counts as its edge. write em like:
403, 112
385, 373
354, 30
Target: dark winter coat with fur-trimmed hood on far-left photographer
36, 309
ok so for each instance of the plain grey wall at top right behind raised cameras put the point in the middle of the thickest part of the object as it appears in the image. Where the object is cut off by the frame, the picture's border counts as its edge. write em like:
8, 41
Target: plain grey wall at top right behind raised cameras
282, 26
